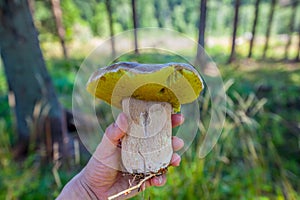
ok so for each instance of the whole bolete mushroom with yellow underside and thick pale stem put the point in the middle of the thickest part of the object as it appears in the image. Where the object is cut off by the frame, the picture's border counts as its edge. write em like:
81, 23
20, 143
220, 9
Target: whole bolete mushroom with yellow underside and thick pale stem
148, 95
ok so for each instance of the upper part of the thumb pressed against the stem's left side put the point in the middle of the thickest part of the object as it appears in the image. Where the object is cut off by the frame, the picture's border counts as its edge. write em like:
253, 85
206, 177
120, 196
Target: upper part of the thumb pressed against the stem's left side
118, 129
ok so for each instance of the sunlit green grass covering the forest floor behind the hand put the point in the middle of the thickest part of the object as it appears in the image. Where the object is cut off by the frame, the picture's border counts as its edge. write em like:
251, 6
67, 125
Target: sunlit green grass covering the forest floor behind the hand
256, 157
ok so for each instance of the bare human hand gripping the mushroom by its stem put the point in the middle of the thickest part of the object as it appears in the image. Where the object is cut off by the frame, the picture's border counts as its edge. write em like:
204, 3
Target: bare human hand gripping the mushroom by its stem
102, 177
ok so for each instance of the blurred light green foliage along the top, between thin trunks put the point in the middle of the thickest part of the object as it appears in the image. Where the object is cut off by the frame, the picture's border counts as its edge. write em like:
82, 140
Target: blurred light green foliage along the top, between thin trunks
183, 16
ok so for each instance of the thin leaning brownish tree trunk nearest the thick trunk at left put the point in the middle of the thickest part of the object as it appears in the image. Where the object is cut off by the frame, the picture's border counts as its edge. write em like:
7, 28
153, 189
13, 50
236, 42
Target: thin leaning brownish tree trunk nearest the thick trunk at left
57, 14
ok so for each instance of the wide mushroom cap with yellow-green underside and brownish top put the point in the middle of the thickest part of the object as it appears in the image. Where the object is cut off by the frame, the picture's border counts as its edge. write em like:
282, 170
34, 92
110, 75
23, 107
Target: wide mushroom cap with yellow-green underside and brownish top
175, 83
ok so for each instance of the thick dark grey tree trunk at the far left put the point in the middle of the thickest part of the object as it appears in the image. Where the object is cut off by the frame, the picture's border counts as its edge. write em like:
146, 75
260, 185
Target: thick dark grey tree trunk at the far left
28, 79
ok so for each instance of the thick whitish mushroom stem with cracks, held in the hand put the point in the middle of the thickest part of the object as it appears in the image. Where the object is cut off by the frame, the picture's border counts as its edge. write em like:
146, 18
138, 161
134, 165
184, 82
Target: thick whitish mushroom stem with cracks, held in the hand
147, 147
